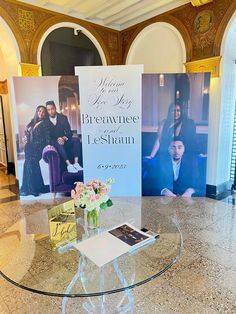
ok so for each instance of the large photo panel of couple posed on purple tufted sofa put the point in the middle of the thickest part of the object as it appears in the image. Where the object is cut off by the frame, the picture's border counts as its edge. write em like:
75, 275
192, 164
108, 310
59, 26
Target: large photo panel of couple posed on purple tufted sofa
49, 145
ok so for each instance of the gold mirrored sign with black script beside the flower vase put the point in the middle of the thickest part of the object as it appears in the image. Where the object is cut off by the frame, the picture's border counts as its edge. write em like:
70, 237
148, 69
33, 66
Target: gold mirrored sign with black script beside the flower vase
62, 223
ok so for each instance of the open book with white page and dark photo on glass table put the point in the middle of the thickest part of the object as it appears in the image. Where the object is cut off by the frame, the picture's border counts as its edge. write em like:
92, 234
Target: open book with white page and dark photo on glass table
108, 245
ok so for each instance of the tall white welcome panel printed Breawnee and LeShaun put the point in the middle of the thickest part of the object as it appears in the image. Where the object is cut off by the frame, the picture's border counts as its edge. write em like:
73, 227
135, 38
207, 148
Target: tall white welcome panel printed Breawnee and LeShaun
110, 106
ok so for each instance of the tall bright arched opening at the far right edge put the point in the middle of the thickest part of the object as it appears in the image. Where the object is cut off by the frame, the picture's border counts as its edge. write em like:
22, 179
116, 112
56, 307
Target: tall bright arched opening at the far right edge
227, 122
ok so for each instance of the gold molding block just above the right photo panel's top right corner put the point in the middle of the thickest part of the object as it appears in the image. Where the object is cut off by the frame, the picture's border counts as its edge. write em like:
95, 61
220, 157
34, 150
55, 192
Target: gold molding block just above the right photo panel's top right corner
205, 65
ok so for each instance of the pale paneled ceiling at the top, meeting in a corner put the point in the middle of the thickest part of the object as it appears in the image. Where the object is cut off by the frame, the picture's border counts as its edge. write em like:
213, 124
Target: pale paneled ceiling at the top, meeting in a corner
116, 14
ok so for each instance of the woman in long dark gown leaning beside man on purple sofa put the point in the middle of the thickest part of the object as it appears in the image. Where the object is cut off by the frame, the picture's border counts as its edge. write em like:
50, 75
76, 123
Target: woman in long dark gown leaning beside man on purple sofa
35, 139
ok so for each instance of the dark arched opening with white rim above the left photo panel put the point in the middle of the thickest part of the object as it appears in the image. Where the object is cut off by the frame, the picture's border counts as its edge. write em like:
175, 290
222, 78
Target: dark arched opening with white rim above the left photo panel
66, 45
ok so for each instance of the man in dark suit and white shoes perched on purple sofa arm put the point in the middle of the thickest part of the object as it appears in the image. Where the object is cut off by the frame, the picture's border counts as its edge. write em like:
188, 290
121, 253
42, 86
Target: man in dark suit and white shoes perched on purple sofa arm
61, 135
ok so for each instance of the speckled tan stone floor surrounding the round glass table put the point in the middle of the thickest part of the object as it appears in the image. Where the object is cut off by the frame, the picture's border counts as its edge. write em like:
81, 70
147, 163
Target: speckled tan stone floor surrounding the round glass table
202, 281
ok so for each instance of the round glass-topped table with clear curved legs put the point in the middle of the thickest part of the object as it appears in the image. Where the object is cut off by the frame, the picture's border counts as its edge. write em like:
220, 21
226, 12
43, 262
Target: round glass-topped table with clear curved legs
30, 260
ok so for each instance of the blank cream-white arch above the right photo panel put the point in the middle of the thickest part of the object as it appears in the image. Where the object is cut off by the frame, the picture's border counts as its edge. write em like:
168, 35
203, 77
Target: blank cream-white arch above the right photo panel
157, 55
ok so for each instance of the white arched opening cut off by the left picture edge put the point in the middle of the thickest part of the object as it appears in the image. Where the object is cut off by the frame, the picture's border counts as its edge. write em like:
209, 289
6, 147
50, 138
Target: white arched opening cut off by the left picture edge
9, 66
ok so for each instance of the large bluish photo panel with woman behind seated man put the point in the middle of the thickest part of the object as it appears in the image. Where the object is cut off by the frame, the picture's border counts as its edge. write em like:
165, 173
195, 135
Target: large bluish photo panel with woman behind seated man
174, 134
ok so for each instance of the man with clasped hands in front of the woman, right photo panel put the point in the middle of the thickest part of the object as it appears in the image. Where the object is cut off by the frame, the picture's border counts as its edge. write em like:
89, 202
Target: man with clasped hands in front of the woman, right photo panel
178, 172
